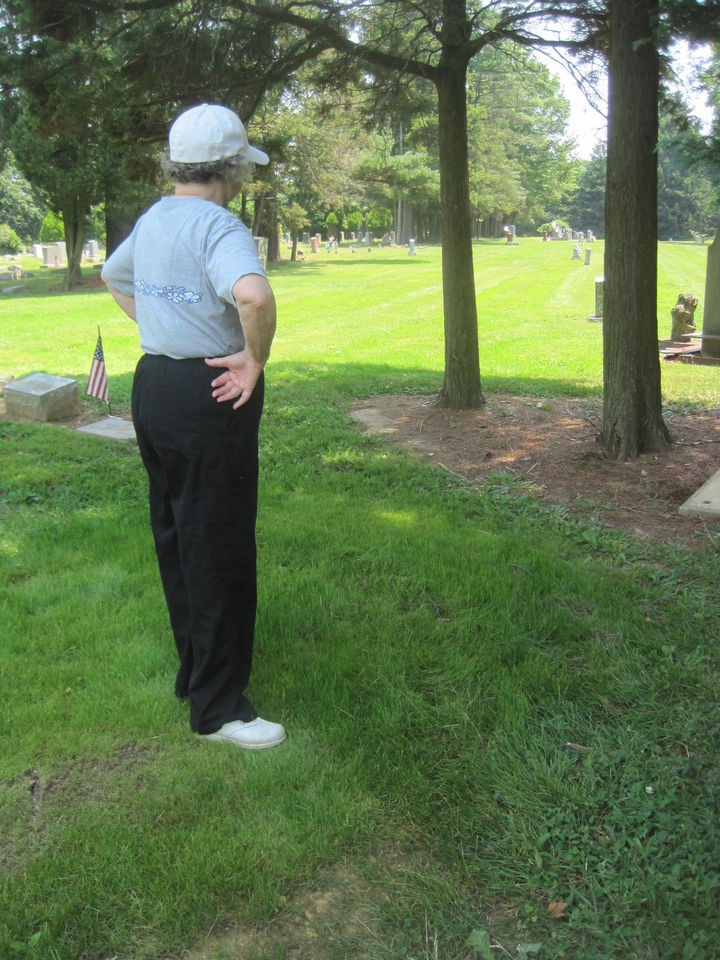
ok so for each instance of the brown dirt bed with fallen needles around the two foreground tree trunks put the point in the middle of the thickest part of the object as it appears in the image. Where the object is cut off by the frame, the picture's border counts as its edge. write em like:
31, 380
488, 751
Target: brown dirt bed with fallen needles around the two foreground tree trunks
551, 444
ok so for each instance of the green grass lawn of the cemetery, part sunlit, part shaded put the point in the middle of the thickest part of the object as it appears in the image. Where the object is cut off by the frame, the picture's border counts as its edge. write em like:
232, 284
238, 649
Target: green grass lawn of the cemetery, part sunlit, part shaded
491, 705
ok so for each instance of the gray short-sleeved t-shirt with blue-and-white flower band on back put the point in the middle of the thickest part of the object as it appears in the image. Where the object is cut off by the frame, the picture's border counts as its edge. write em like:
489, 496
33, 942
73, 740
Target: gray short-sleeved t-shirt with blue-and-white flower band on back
180, 264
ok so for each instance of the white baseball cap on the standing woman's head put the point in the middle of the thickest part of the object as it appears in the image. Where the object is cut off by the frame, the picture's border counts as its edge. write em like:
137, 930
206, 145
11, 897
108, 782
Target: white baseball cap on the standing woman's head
210, 132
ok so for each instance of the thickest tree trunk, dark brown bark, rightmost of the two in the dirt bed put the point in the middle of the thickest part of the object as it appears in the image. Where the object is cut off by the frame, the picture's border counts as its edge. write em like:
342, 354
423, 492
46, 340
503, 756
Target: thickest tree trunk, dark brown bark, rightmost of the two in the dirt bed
632, 411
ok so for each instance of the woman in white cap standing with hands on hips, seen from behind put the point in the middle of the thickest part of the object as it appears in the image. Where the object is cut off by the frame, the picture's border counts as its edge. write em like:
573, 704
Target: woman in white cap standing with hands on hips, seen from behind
190, 276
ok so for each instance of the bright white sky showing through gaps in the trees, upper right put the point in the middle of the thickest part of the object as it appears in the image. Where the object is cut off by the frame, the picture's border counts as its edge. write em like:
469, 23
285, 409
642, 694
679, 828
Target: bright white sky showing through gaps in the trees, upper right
588, 125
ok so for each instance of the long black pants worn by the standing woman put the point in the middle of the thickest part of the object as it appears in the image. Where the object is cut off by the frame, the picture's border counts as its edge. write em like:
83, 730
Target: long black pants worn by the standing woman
201, 458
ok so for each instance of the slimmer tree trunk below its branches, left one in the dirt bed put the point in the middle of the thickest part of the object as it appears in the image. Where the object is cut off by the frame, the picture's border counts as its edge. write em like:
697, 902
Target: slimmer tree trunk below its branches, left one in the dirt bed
461, 387
